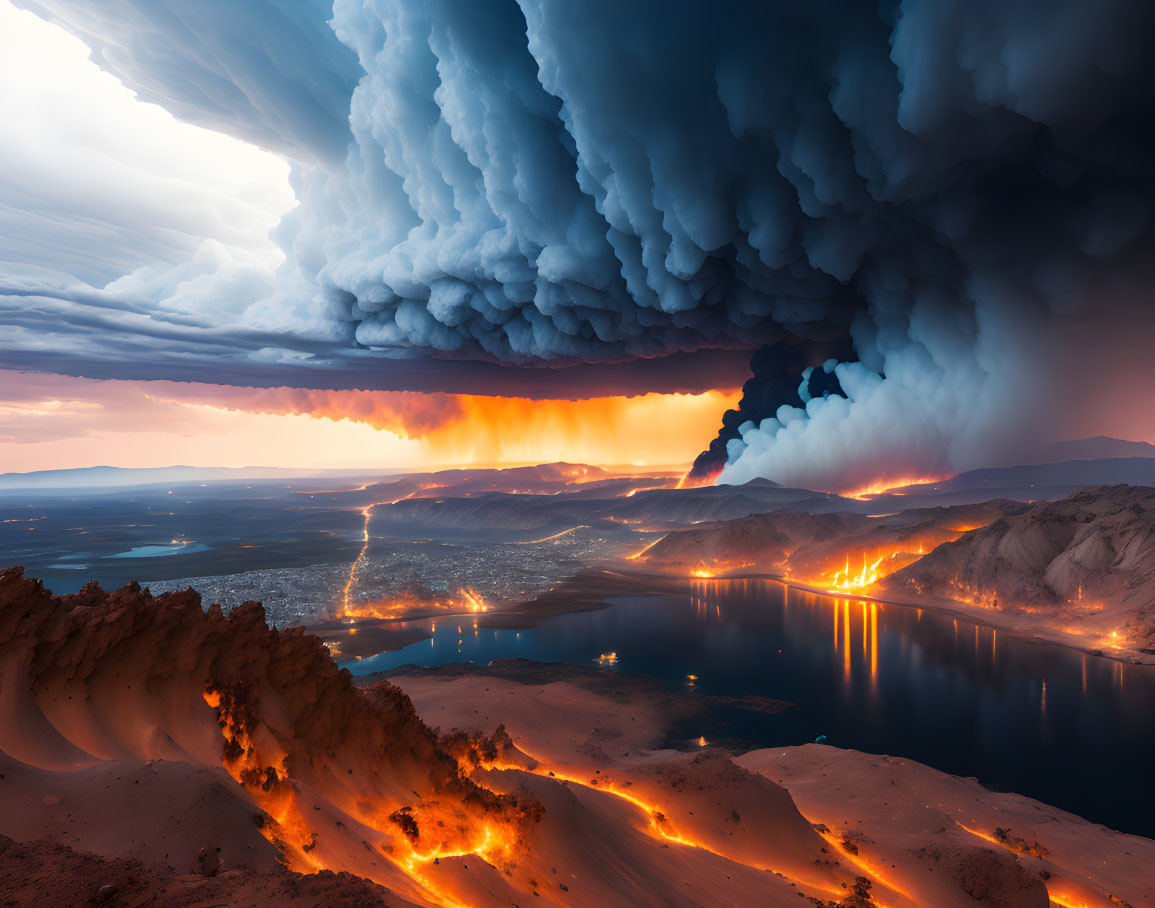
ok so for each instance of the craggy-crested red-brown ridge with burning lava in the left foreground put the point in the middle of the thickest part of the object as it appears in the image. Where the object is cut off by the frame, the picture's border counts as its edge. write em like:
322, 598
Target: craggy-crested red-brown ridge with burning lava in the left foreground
346, 779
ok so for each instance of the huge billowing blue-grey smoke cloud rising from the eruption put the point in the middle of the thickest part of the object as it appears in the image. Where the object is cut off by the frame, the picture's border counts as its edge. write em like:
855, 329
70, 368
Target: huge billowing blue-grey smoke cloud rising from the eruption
950, 192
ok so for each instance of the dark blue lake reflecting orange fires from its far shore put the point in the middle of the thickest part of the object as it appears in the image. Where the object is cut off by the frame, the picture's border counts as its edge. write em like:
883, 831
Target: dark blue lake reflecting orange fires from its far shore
1074, 731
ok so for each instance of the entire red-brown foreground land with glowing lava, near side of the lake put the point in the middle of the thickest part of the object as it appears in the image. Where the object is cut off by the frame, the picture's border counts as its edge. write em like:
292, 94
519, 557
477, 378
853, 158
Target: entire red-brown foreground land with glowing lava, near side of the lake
140, 735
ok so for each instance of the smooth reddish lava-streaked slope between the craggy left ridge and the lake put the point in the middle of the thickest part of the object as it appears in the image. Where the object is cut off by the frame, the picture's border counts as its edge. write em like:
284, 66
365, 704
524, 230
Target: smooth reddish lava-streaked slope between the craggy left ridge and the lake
920, 836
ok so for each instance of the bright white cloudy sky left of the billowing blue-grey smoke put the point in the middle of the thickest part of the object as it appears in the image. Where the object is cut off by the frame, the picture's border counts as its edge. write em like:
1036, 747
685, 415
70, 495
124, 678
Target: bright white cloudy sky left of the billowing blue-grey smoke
95, 183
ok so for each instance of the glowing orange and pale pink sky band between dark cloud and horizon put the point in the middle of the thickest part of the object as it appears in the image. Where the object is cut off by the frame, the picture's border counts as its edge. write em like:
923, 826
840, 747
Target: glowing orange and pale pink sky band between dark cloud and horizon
56, 422
